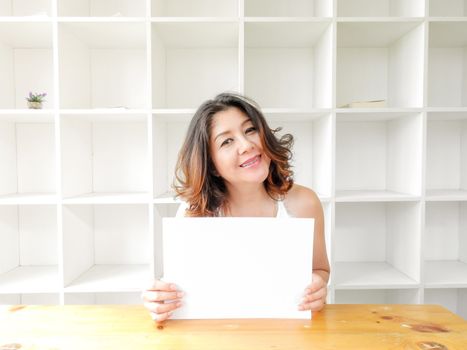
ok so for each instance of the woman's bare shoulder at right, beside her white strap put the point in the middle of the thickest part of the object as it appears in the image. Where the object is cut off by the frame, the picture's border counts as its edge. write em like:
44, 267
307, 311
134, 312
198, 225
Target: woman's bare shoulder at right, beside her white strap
303, 202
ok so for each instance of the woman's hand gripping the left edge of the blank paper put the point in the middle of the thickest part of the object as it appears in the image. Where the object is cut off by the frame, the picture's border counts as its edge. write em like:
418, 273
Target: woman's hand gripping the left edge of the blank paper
161, 299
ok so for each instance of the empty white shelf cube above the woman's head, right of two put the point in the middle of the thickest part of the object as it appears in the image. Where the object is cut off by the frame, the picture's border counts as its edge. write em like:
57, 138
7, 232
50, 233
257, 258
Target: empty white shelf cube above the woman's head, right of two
293, 59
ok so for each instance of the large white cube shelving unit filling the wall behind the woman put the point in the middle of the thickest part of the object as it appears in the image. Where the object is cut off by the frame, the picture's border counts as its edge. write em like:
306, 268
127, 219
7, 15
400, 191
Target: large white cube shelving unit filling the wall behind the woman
85, 182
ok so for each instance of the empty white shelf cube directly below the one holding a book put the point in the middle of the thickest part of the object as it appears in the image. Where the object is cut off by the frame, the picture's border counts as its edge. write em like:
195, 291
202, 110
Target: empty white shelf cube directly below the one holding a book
378, 155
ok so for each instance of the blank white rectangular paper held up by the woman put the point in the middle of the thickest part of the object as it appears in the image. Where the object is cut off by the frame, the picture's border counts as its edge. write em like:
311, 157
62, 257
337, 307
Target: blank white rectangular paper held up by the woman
239, 267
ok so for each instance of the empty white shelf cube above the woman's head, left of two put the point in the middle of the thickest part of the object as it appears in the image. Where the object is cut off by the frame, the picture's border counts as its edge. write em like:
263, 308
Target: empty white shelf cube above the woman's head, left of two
193, 62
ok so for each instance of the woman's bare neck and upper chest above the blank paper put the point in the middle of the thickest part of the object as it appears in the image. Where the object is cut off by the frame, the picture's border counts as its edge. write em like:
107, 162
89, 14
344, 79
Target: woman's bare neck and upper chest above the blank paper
249, 200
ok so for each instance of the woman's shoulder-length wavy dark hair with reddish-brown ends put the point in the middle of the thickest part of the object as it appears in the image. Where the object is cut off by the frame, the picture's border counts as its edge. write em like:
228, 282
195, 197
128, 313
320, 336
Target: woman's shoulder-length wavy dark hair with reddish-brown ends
196, 179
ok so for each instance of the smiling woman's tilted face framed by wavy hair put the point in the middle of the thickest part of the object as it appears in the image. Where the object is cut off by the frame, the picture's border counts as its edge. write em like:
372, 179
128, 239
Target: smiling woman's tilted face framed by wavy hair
236, 149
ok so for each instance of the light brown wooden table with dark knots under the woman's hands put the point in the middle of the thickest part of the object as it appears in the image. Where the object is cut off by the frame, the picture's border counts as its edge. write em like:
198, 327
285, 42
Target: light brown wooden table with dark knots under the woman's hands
425, 327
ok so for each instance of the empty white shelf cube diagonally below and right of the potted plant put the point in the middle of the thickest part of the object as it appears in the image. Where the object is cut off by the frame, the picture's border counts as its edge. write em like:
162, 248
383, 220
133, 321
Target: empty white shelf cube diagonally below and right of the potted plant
104, 155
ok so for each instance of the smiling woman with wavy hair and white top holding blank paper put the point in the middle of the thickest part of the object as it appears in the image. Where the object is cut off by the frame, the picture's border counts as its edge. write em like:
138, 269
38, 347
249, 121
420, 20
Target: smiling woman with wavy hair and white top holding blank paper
232, 164
